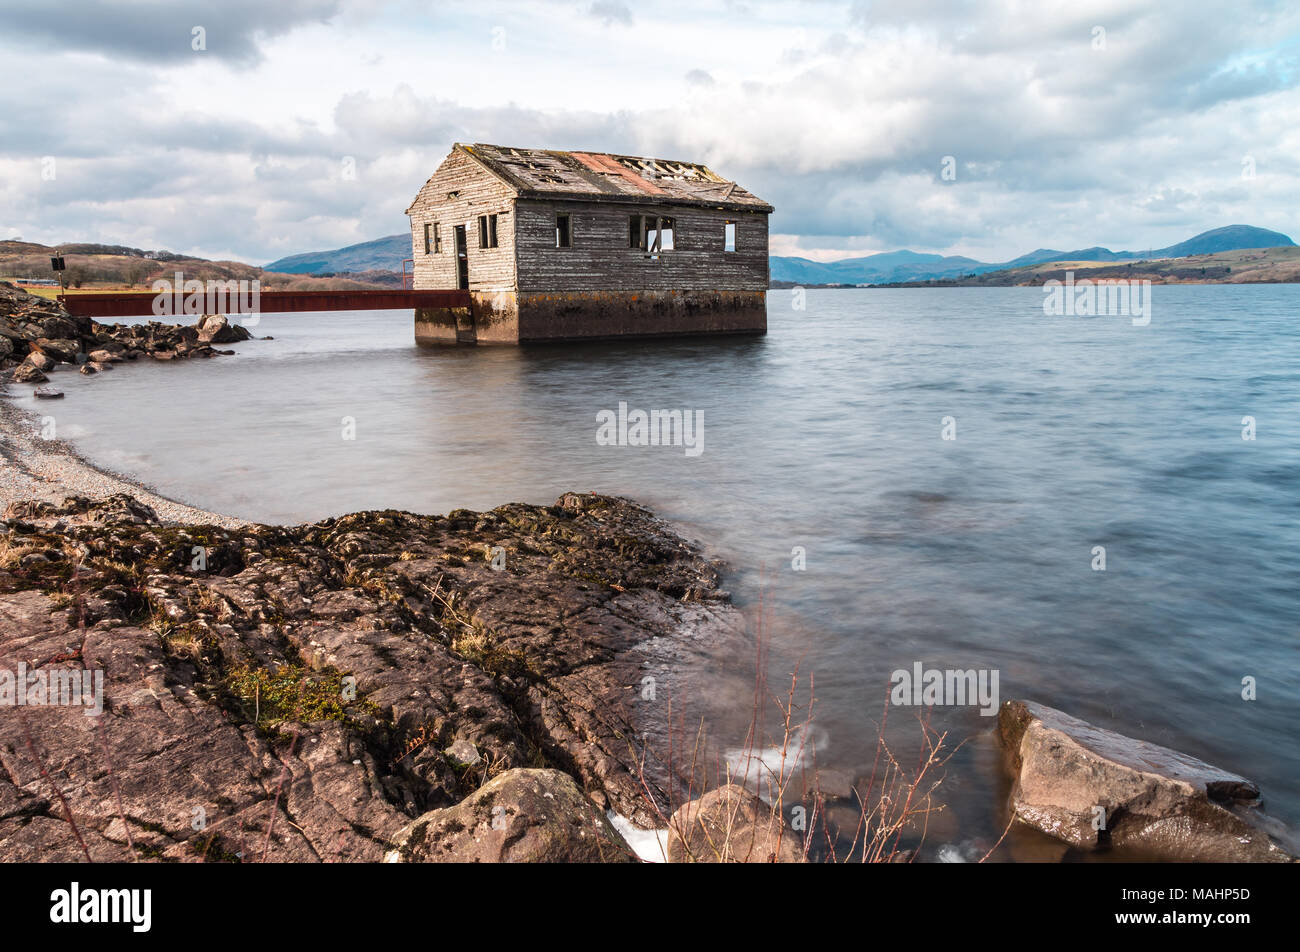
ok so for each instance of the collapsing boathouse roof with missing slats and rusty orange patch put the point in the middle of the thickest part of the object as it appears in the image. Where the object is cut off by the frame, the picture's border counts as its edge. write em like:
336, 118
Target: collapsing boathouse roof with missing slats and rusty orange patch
599, 176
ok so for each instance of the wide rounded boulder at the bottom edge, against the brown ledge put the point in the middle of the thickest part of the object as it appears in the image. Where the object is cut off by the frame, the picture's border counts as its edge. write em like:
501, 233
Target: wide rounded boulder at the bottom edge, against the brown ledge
523, 816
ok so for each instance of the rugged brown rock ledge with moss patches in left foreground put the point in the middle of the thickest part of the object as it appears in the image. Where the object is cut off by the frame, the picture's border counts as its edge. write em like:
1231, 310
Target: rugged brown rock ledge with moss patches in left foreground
366, 686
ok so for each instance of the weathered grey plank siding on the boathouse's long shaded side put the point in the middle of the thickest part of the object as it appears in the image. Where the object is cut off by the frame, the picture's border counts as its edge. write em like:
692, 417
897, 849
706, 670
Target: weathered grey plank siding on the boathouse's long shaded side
600, 257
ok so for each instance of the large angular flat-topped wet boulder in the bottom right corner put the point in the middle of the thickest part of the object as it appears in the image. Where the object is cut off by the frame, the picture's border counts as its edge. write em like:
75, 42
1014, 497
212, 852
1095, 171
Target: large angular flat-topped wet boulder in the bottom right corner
1095, 789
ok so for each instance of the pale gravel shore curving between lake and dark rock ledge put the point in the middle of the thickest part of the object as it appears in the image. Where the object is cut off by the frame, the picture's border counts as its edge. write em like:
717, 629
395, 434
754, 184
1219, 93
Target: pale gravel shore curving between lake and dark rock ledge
50, 470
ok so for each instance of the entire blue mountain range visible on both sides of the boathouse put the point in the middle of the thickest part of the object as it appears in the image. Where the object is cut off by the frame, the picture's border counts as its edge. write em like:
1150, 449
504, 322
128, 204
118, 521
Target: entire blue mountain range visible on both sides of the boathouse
890, 267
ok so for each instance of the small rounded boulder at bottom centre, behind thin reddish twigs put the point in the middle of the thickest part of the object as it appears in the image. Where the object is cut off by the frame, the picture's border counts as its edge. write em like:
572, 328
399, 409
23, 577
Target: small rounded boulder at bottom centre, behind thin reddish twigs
731, 825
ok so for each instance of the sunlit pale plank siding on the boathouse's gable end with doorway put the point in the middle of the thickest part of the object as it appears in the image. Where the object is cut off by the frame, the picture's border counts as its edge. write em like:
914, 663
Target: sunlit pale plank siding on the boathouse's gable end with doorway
480, 193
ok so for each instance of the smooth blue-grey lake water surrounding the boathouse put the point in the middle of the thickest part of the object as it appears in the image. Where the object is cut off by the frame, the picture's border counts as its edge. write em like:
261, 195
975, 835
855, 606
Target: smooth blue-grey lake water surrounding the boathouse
827, 435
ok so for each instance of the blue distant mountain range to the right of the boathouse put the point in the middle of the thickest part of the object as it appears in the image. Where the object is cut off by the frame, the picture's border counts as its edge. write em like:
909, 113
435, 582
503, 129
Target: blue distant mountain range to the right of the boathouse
892, 267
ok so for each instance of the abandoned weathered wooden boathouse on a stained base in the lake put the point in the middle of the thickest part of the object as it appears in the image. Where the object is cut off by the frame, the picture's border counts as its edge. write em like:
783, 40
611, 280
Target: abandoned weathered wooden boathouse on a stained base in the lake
584, 245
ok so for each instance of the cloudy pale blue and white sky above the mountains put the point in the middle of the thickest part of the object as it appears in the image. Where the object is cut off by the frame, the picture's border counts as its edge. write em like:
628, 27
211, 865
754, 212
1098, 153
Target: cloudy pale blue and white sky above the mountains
310, 124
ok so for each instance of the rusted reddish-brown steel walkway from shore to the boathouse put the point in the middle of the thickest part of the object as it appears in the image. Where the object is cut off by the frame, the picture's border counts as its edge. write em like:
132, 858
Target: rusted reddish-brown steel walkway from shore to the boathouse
140, 305
